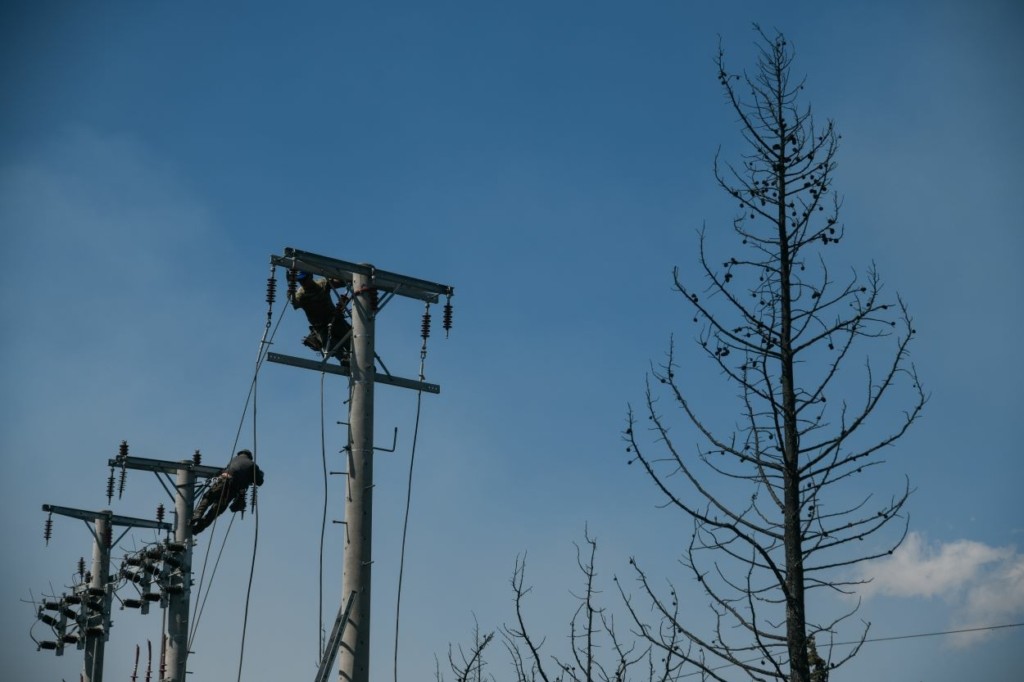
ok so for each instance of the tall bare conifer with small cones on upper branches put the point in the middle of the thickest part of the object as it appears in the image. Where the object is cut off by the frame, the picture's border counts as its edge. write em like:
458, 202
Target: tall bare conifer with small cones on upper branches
776, 498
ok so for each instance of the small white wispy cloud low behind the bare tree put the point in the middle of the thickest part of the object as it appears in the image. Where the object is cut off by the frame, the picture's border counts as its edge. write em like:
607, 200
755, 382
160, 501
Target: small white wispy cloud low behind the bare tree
984, 585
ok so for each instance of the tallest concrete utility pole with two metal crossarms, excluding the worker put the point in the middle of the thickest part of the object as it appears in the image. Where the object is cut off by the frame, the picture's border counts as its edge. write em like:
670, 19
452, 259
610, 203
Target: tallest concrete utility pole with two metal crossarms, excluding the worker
372, 289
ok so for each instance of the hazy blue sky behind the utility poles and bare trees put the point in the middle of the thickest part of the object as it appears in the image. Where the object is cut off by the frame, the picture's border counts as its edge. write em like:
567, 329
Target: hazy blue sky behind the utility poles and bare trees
551, 161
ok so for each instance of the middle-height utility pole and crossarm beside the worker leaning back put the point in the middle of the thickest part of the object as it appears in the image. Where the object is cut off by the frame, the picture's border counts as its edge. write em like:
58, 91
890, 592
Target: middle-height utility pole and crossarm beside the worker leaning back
179, 587
